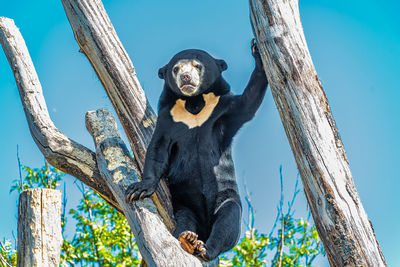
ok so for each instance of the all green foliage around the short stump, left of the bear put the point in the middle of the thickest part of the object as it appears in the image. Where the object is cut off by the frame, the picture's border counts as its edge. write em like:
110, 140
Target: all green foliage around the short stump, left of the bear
102, 234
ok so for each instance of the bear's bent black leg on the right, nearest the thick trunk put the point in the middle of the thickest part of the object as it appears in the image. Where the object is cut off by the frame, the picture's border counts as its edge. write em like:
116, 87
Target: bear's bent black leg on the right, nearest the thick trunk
225, 231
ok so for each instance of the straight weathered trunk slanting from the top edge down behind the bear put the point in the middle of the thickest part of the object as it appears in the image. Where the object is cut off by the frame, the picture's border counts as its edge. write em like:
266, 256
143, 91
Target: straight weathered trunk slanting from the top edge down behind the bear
98, 40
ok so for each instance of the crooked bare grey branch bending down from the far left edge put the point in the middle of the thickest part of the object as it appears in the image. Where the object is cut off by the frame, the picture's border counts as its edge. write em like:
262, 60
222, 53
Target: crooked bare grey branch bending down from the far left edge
60, 151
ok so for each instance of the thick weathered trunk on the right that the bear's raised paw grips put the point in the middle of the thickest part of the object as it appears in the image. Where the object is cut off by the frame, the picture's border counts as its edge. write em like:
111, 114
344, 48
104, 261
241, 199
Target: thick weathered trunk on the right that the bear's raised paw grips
339, 216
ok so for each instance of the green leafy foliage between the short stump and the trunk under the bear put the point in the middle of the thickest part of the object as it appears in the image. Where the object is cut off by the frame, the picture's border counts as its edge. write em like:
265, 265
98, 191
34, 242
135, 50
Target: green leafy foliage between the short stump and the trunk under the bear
102, 235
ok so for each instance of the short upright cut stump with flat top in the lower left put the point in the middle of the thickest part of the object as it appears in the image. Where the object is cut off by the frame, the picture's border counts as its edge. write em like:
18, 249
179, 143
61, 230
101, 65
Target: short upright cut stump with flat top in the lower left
39, 228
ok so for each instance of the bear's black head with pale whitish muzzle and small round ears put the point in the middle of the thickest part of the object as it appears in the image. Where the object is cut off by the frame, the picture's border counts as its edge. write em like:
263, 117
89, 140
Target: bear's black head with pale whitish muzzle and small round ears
192, 72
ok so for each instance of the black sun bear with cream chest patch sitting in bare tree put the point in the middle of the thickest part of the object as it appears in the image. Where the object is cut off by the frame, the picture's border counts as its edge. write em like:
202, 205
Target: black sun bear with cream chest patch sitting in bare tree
191, 147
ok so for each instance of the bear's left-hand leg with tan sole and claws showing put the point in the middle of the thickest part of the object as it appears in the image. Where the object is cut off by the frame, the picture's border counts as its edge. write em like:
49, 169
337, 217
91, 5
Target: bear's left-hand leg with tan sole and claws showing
185, 231
